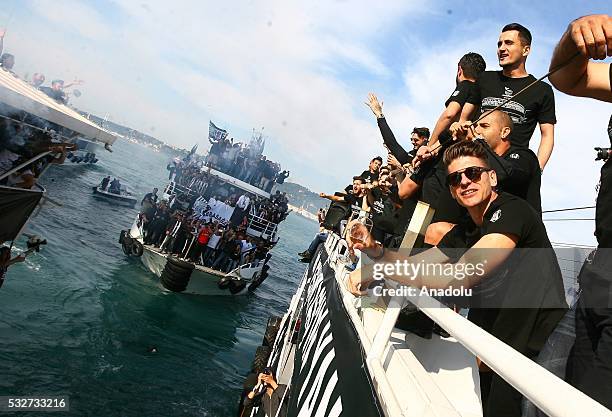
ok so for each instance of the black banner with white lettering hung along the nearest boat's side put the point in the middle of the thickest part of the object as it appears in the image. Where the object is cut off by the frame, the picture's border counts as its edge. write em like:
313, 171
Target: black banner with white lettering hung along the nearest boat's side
330, 375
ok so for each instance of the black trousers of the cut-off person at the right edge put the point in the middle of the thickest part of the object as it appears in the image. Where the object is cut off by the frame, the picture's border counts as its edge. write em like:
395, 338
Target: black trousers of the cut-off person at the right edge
590, 363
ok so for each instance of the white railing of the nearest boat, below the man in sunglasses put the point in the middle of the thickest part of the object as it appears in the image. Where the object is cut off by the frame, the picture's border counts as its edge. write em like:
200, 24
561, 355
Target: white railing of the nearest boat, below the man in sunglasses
414, 385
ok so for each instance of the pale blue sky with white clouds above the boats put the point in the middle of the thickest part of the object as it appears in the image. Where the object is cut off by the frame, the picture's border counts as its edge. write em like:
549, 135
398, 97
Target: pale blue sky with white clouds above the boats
302, 71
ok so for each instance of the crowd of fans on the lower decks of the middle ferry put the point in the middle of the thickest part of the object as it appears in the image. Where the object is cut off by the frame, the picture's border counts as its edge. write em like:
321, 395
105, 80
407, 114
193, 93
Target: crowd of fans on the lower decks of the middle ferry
189, 225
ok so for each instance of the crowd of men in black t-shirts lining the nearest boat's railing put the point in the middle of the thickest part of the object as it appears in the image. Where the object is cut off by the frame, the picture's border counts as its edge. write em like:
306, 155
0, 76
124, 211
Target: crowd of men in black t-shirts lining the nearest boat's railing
477, 171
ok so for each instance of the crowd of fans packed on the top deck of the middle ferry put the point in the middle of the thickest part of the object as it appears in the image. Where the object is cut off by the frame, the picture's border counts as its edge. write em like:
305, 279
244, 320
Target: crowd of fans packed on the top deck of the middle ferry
238, 160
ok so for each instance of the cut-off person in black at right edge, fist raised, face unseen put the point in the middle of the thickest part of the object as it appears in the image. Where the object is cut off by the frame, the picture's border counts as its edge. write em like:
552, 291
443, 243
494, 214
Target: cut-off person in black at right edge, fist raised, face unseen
590, 363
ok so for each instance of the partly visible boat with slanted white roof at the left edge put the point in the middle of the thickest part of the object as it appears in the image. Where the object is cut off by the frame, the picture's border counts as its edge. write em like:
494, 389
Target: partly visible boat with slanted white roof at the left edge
29, 117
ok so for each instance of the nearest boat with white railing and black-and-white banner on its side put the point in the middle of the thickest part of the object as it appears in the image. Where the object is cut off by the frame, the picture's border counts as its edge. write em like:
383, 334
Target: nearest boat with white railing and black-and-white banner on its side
339, 355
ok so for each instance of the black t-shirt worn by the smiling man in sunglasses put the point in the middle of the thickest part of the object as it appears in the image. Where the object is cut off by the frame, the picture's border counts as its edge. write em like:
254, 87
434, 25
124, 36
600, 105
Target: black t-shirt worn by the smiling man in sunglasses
530, 276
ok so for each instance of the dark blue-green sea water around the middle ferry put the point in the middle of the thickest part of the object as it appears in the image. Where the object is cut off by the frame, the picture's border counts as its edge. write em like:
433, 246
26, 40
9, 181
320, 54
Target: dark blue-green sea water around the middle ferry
78, 319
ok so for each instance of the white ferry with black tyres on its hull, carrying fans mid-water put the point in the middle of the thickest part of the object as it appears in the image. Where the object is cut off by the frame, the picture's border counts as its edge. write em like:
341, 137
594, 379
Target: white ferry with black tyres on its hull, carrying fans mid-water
176, 273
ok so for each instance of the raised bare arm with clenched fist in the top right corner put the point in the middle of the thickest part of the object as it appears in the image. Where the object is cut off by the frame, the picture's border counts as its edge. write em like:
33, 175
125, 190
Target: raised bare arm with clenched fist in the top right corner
591, 37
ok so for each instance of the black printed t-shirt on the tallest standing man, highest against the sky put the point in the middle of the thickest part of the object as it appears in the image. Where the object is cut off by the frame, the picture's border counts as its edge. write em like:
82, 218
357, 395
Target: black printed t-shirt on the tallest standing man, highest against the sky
535, 105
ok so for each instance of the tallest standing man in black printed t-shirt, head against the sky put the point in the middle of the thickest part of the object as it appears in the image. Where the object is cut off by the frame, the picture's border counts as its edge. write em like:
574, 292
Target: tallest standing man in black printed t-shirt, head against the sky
534, 106
